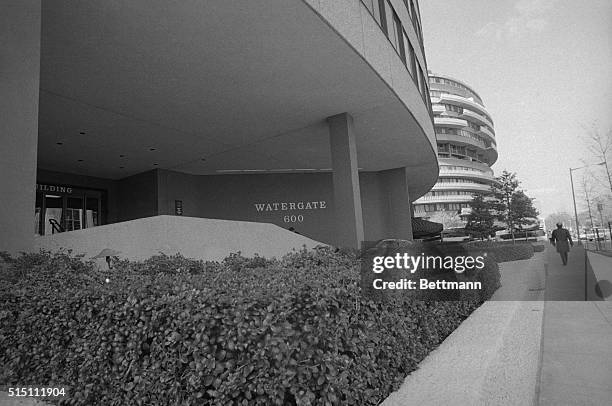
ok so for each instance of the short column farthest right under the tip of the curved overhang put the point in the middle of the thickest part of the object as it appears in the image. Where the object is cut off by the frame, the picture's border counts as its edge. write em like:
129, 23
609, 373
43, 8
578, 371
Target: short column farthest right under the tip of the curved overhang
398, 216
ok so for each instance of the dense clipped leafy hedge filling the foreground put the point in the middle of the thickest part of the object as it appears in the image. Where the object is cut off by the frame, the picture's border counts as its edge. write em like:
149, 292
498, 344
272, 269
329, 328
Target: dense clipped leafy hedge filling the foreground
175, 331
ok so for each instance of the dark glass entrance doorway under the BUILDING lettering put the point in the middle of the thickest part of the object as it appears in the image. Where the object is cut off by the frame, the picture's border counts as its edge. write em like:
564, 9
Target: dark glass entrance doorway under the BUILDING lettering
64, 208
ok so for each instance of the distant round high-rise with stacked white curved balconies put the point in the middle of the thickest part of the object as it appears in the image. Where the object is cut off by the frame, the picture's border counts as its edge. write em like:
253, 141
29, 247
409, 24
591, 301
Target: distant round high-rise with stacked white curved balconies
466, 151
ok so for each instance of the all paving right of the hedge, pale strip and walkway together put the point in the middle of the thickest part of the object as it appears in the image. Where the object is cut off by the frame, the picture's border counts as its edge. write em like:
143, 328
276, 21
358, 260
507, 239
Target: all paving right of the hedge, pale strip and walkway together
519, 349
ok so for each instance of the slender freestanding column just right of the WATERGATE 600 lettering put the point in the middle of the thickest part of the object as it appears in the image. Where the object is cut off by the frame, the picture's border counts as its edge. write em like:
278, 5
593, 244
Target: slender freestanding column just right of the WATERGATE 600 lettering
347, 196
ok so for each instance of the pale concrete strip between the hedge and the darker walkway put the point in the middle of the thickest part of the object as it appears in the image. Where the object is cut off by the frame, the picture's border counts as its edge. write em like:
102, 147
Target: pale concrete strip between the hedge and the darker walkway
493, 357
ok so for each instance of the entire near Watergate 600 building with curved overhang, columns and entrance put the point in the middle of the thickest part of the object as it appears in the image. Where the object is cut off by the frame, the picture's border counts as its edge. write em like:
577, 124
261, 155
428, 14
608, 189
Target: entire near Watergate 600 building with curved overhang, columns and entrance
312, 115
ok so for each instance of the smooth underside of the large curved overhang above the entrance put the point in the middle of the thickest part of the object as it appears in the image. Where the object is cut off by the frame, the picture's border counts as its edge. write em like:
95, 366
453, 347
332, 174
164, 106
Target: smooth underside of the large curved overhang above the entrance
203, 87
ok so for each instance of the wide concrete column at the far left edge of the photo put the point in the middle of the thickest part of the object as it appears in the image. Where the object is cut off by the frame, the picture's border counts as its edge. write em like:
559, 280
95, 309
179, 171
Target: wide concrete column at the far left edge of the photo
19, 87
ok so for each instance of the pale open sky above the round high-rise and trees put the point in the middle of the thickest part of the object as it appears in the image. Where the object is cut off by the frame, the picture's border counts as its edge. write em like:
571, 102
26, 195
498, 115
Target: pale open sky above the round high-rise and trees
543, 70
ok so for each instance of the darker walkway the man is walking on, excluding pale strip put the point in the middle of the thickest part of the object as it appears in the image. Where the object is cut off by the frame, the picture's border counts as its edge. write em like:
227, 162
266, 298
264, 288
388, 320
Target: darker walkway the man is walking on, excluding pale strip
576, 367
